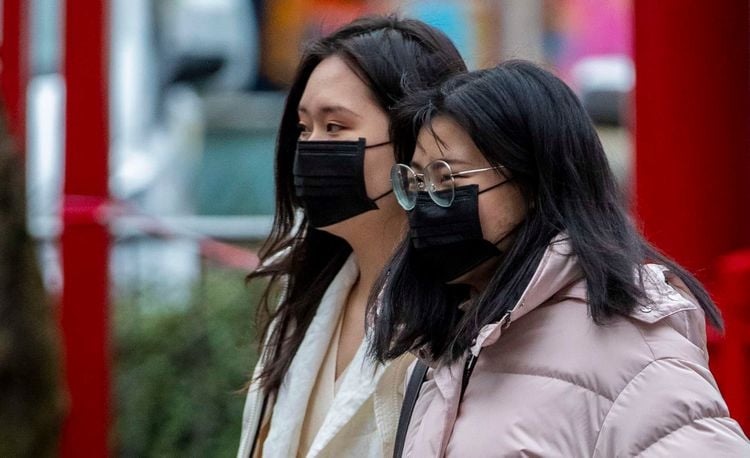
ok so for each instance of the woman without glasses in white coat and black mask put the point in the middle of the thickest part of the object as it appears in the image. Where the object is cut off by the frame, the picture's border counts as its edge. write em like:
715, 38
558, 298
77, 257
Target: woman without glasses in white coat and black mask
314, 391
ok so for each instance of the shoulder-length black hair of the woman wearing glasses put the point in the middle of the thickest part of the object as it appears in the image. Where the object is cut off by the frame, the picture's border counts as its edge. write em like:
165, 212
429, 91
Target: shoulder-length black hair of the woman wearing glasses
527, 120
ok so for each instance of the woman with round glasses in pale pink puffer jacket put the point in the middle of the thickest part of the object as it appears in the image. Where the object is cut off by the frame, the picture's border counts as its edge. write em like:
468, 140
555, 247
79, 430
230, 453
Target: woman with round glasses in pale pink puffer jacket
544, 323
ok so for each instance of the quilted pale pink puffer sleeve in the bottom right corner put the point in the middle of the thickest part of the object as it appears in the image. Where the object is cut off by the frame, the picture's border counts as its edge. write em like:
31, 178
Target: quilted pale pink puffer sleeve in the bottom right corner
671, 408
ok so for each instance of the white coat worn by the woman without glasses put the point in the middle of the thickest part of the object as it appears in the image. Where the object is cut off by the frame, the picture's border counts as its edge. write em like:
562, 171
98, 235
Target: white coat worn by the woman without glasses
364, 414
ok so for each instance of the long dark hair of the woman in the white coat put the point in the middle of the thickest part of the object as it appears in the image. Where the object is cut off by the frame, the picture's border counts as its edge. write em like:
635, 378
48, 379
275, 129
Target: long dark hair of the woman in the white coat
389, 54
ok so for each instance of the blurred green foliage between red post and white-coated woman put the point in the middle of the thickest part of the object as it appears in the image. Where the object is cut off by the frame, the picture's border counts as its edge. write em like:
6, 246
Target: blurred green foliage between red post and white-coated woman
179, 370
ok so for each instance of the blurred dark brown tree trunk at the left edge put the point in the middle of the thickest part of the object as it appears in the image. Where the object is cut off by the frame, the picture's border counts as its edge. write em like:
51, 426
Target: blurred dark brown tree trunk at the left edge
32, 403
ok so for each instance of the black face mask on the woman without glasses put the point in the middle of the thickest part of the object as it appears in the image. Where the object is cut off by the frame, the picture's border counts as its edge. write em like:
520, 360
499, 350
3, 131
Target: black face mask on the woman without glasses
329, 179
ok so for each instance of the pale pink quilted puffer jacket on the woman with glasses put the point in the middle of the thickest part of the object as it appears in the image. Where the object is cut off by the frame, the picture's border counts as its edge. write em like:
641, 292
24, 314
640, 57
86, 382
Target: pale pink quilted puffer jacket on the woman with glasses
549, 382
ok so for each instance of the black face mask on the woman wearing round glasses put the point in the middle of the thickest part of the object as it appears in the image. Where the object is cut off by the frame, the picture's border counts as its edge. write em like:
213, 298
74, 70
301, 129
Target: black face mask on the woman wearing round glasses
448, 241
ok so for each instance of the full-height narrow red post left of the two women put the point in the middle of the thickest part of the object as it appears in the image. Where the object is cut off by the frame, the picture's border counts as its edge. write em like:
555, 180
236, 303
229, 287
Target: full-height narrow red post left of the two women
85, 238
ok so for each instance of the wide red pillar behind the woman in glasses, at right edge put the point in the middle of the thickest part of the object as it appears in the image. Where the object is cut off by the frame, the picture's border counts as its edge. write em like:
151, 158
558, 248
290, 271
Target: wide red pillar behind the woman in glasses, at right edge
692, 128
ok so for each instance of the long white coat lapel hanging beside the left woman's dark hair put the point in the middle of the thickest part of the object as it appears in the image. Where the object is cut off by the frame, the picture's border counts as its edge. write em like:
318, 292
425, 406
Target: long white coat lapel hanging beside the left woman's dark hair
294, 393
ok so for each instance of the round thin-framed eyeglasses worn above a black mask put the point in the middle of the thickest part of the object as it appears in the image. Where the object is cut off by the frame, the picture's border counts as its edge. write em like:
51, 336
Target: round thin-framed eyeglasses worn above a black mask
437, 179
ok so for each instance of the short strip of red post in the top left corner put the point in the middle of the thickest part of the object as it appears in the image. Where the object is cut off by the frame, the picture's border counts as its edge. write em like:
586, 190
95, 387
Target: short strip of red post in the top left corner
14, 69
